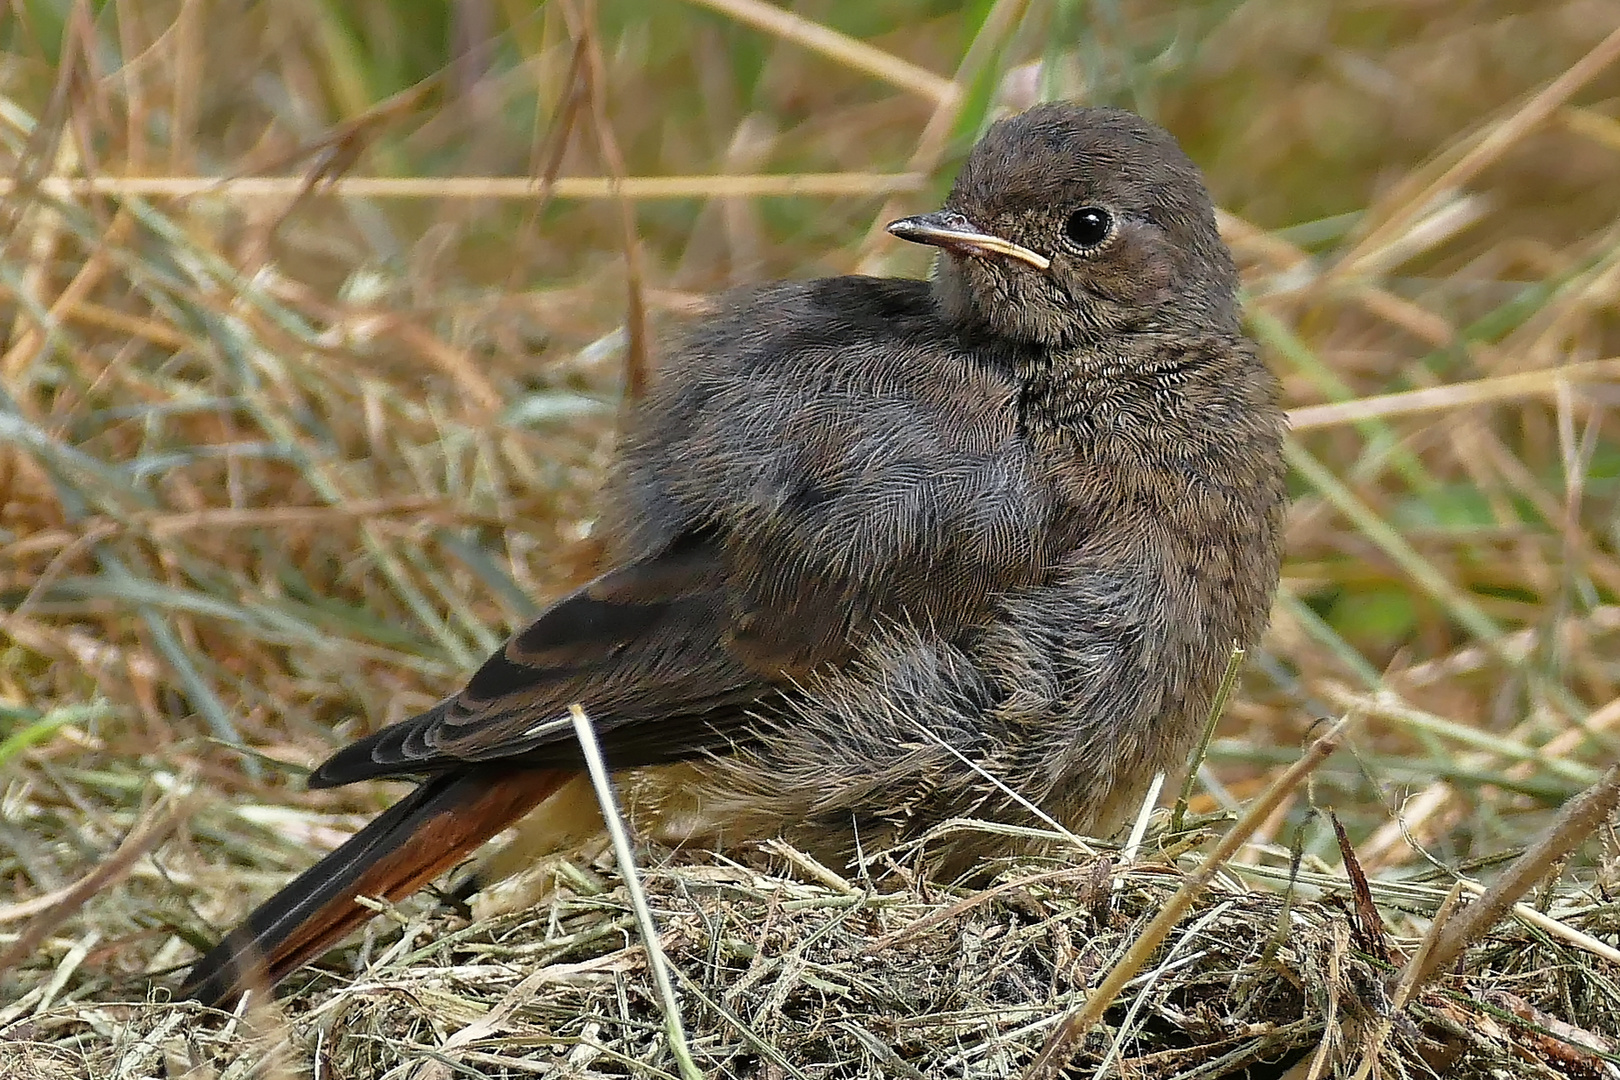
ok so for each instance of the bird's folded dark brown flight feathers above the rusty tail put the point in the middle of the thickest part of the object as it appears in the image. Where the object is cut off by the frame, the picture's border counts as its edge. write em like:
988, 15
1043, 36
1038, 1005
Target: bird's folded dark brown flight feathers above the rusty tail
646, 650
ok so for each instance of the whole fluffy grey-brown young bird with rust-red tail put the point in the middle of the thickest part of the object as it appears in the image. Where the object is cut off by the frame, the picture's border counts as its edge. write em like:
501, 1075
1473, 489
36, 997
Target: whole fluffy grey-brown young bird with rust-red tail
885, 553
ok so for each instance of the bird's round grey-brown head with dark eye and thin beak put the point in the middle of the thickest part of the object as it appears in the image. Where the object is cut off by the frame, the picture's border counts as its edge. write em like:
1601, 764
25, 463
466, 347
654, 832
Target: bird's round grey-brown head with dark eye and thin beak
1073, 223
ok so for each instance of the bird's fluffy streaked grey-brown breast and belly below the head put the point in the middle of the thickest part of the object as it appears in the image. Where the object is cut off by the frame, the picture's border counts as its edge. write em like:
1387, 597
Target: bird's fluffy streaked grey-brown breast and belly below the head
1085, 684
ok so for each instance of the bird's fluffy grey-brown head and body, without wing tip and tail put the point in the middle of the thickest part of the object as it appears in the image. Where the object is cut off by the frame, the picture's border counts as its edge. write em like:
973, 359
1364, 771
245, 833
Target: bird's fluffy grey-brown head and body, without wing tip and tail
1025, 509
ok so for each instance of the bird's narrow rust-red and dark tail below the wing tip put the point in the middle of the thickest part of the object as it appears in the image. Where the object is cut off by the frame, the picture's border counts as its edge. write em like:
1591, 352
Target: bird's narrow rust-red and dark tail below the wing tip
398, 854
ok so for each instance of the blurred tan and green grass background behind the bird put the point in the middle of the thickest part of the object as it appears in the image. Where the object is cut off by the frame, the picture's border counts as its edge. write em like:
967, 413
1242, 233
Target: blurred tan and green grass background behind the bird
279, 464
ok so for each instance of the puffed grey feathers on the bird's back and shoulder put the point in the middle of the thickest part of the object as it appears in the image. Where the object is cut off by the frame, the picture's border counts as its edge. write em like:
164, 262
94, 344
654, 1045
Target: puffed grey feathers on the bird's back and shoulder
855, 449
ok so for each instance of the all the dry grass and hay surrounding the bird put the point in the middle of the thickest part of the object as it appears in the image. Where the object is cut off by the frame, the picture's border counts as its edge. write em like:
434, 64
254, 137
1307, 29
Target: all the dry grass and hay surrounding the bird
281, 462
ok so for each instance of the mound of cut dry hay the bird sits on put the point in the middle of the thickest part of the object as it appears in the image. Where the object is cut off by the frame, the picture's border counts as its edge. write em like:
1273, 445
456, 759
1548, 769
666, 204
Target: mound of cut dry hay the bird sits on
783, 976
